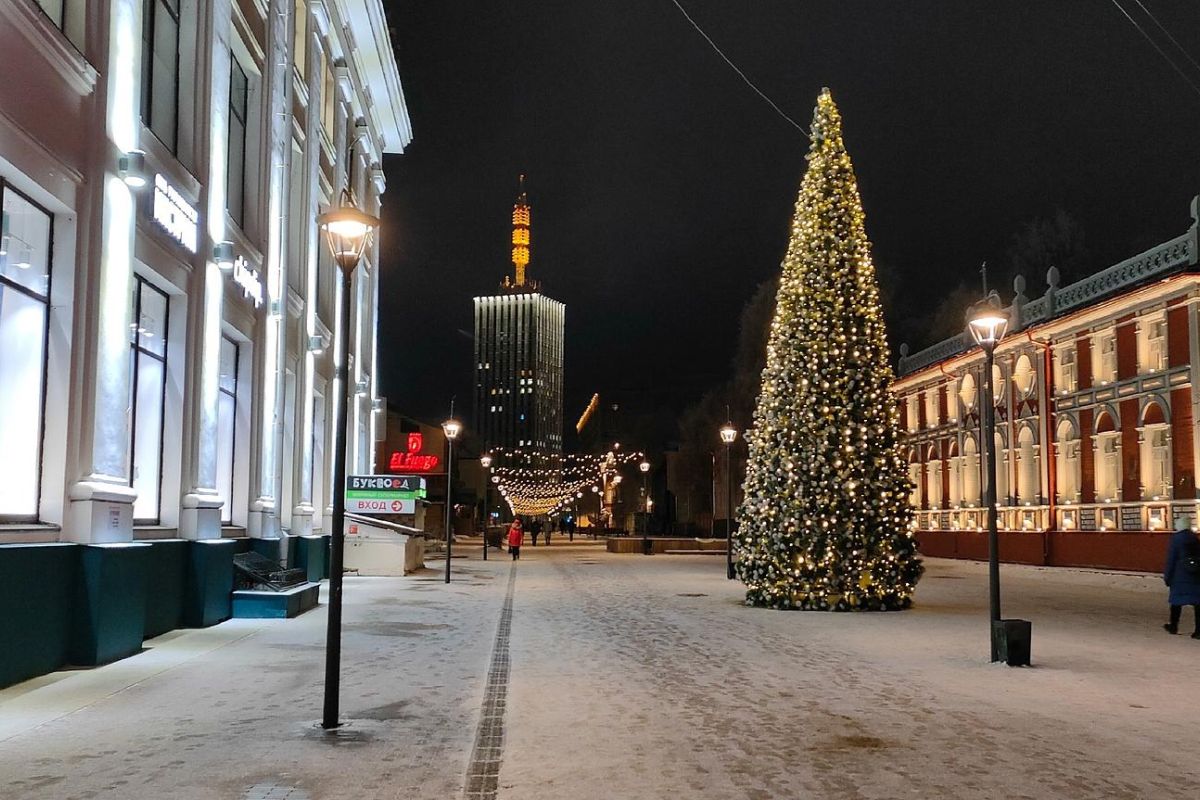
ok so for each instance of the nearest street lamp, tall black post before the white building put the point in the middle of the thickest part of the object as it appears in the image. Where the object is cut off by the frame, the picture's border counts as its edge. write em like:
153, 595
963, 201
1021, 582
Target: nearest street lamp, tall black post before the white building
349, 232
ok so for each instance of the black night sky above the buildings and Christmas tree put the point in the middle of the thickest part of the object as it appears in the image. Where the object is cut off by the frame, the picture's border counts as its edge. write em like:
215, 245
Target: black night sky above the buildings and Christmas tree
663, 188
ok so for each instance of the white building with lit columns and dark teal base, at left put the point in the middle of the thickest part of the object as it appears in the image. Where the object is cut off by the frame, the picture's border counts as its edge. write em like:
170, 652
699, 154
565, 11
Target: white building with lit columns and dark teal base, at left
166, 304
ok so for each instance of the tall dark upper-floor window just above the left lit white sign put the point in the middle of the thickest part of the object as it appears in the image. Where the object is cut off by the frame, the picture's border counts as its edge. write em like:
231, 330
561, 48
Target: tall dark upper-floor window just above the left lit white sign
160, 69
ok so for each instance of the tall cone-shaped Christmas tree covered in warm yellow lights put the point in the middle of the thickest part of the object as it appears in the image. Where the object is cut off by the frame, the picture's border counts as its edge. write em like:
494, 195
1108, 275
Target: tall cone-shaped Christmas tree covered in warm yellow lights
826, 522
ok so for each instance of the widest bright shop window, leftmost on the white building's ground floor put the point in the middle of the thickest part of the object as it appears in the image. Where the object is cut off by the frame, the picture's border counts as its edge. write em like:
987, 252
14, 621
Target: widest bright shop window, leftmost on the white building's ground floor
26, 245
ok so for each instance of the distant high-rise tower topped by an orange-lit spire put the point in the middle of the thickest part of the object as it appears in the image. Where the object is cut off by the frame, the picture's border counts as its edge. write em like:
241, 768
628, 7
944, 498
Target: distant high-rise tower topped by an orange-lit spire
519, 356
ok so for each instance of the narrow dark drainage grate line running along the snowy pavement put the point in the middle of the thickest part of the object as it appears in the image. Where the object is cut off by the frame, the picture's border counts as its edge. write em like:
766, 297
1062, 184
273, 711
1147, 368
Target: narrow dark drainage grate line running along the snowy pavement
484, 769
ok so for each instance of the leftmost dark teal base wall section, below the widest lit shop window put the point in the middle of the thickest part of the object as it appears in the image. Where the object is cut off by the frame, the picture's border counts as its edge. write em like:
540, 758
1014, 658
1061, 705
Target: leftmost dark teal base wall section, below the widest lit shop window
38, 586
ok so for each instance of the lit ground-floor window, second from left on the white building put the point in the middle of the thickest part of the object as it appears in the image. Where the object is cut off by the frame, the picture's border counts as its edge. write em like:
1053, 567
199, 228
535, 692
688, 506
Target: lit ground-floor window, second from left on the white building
148, 345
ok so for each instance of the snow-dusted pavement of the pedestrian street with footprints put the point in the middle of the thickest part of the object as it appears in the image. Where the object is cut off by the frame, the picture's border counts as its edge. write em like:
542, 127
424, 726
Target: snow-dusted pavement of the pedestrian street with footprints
638, 677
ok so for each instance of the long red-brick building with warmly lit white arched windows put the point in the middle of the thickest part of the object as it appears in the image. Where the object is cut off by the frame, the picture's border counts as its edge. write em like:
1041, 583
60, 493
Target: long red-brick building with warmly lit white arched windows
1096, 390
